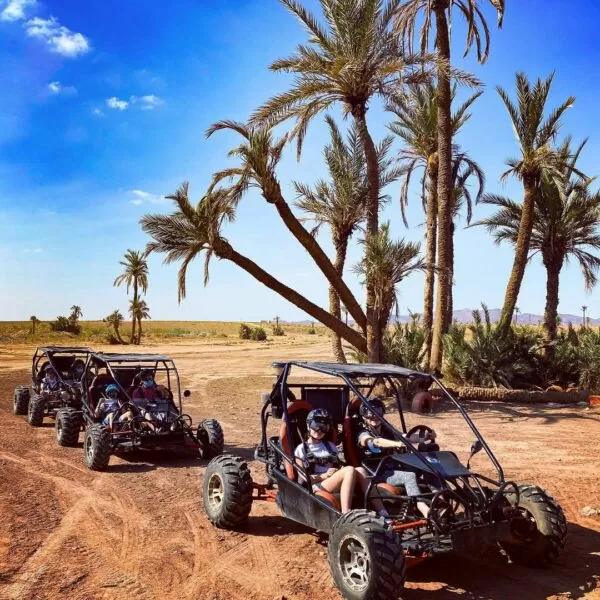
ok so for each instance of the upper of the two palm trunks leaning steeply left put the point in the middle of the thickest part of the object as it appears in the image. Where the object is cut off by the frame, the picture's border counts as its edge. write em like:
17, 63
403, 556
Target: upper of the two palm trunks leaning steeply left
273, 195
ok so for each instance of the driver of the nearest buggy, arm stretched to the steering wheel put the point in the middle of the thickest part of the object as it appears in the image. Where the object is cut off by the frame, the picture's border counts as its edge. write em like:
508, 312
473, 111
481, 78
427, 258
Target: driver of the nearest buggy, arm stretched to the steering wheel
373, 439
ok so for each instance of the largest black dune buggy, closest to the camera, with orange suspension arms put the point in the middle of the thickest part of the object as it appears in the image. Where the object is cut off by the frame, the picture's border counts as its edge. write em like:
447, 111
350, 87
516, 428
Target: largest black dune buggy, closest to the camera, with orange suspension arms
368, 554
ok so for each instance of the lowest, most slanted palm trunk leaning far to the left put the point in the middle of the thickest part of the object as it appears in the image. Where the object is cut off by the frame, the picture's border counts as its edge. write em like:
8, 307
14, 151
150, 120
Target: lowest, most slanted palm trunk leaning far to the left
225, 251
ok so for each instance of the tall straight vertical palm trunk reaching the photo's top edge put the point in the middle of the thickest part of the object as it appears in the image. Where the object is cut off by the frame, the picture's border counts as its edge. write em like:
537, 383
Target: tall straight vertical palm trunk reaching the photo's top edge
444, 125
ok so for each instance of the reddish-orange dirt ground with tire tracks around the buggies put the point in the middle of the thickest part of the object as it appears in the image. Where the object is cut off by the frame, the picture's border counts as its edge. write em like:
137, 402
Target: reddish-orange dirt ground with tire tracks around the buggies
138, 531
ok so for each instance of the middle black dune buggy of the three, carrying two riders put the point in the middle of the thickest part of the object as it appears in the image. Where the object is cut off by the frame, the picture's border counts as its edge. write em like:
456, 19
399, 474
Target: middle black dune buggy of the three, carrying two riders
161, 424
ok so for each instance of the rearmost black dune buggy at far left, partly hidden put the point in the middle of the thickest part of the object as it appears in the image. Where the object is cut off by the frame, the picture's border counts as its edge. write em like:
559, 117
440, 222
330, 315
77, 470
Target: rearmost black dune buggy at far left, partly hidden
39, 402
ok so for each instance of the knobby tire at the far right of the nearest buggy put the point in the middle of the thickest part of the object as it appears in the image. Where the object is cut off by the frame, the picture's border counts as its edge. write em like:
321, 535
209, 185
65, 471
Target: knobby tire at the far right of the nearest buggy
545, 544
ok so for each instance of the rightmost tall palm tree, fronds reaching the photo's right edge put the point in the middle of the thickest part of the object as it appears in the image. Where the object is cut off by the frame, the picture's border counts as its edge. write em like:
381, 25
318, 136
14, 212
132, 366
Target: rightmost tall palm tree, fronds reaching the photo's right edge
565, 224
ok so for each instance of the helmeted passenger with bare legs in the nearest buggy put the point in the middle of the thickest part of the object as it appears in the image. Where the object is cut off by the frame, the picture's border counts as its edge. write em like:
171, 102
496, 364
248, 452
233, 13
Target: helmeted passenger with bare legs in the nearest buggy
319, 458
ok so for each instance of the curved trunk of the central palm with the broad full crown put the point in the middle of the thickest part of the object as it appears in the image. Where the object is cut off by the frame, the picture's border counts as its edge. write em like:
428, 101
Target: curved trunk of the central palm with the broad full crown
372, 229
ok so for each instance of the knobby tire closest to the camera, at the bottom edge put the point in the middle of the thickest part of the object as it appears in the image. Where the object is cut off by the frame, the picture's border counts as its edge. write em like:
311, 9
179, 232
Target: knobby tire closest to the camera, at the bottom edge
365, 558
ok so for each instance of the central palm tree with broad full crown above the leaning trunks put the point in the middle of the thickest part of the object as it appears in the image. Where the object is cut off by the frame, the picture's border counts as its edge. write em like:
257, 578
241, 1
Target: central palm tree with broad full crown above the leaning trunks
350, 59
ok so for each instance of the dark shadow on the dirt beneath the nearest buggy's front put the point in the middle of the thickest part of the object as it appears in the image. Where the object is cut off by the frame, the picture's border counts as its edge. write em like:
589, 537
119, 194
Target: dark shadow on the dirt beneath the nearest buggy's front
489, 577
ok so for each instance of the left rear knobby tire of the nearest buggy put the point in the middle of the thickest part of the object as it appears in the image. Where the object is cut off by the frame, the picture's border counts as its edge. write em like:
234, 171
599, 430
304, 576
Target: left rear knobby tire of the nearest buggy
227, 491
